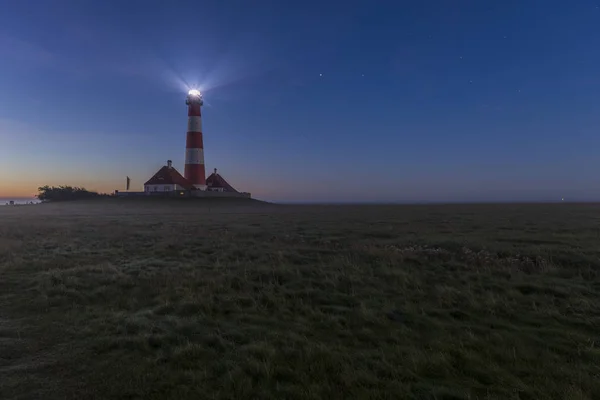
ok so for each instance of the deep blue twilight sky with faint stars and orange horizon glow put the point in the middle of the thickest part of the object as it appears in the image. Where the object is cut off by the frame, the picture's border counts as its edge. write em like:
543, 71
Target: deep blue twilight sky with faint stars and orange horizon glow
390, 101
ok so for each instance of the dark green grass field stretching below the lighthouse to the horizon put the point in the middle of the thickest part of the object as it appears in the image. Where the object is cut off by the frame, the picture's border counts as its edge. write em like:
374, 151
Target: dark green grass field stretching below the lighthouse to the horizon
199, 300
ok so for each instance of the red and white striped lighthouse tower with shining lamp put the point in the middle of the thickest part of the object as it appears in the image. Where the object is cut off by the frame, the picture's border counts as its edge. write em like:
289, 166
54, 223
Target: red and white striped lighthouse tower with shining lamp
194, 149
